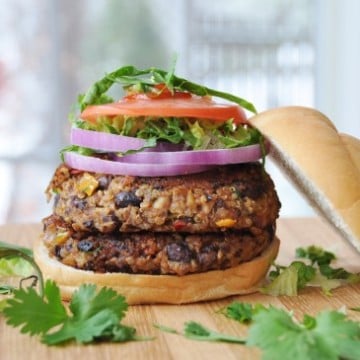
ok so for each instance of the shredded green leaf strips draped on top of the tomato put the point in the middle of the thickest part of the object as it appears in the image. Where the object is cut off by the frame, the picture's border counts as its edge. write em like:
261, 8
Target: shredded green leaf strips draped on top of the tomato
143, 80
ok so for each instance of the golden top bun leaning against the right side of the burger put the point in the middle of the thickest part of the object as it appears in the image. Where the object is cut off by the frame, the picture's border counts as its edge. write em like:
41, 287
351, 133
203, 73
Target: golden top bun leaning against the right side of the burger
322, 163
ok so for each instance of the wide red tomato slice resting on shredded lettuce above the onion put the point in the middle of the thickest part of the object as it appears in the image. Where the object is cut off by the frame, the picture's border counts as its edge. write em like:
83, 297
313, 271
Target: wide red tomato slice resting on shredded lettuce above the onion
194, 106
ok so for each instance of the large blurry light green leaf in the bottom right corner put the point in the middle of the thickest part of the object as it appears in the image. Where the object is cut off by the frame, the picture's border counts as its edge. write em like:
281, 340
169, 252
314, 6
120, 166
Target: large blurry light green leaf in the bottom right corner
328, 336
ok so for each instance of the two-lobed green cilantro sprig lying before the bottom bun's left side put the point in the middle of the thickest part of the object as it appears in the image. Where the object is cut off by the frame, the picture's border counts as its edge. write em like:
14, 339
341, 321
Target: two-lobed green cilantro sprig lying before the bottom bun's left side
94, 315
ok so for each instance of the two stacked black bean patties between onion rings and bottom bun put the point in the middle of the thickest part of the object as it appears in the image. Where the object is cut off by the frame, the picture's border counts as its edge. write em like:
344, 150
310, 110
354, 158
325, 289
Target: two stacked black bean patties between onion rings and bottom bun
161, 225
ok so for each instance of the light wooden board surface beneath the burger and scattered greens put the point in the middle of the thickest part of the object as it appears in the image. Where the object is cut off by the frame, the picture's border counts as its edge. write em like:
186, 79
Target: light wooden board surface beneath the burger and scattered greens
292, 232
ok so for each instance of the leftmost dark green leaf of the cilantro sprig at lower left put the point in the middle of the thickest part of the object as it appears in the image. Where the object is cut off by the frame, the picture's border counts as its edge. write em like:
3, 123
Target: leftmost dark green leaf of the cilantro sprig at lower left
34, 313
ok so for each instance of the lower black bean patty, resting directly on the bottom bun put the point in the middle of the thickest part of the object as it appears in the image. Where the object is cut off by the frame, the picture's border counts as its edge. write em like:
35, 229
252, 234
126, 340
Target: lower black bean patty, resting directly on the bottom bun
153, 253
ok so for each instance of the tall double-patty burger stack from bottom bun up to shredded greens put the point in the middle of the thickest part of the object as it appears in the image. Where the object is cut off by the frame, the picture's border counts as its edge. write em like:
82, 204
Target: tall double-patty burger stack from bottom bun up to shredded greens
162, 195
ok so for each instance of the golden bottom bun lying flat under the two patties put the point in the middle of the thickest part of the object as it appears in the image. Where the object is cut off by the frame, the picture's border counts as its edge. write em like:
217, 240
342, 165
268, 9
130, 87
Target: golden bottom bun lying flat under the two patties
168, 289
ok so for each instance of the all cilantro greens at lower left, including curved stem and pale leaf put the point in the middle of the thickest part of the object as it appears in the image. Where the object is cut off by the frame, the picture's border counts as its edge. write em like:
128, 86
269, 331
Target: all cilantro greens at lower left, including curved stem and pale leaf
92, 316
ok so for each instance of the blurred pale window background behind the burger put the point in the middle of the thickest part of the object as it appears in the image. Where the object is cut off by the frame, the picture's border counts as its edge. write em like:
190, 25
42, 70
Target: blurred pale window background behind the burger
271, 52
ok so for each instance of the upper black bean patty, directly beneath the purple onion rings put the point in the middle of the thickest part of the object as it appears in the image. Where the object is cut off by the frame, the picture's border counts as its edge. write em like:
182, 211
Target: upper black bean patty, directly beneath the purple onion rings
230, 197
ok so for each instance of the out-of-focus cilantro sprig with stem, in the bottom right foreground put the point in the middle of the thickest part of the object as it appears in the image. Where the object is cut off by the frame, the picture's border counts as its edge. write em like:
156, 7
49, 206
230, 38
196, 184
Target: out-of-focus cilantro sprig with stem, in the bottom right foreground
329, 335
